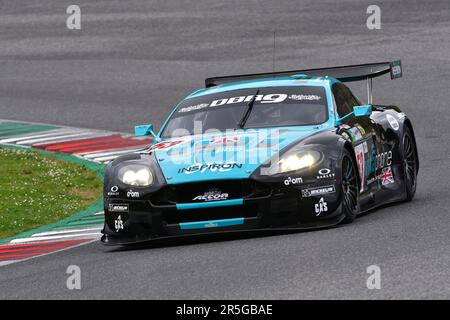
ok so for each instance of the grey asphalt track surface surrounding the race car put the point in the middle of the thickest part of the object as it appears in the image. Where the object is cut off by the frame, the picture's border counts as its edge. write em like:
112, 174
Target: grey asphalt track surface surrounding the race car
133, 60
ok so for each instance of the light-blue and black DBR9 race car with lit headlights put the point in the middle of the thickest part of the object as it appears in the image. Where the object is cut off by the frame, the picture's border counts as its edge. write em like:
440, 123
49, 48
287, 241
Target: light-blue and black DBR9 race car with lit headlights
283, 150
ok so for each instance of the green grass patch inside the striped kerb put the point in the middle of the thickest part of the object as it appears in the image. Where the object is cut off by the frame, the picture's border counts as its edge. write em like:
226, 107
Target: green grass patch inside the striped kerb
36, 190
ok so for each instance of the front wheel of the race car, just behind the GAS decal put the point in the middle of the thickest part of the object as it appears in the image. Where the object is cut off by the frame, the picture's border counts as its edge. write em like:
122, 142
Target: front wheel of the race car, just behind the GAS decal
350, 190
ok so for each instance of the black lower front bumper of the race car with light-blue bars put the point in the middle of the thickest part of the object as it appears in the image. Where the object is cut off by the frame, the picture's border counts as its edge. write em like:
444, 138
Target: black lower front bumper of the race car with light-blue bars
271, 208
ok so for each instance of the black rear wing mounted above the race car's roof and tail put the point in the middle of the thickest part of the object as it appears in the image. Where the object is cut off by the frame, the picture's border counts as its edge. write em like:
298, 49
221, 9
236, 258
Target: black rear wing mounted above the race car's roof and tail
350, 73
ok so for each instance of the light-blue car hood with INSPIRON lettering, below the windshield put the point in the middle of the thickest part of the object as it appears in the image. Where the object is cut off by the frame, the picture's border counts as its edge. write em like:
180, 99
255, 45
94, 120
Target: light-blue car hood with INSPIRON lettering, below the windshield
219, 156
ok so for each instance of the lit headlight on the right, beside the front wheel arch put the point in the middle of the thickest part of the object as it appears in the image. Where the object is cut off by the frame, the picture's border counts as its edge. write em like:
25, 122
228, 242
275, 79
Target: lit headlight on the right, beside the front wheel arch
293, 160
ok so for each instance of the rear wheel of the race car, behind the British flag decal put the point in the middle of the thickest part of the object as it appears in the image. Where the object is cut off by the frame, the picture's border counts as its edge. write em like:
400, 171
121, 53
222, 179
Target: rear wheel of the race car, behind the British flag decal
409, 164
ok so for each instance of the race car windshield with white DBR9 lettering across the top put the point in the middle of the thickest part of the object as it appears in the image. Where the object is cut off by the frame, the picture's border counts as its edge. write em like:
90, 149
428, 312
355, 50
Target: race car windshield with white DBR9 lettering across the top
273, 107
